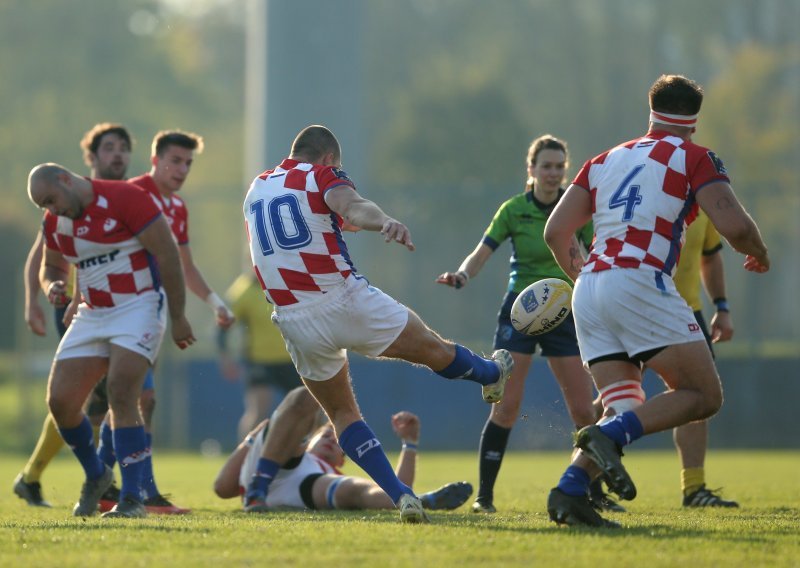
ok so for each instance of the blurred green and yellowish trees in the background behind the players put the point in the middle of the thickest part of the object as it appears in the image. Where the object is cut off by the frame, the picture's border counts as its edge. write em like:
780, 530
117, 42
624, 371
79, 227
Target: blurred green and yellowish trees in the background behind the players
454, 90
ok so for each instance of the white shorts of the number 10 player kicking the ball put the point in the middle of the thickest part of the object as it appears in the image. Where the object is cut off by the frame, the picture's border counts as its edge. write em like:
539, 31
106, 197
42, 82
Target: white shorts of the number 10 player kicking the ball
355, 316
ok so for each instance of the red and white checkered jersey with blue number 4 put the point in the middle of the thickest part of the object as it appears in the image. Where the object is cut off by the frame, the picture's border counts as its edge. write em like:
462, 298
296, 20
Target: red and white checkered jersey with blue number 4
643, 195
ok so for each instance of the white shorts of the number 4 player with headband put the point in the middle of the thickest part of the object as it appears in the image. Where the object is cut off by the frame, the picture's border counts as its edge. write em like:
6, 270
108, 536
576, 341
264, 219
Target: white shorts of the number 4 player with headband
622, 310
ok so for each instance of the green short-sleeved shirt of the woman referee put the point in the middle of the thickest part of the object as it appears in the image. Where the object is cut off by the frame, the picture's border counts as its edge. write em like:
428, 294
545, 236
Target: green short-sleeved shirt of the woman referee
522, 219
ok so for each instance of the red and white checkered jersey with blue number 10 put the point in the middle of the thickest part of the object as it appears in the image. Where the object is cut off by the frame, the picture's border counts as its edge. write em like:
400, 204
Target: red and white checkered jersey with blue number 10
295, 239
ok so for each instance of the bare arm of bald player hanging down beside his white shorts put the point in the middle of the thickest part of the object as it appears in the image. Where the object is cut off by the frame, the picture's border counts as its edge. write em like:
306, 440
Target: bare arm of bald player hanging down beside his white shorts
157, 239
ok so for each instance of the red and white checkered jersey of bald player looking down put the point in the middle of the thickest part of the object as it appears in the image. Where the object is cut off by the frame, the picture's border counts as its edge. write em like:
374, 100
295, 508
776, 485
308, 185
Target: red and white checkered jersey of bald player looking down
112, 265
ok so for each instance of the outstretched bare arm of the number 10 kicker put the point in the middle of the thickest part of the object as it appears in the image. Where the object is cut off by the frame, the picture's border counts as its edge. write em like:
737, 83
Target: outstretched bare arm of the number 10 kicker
363, 213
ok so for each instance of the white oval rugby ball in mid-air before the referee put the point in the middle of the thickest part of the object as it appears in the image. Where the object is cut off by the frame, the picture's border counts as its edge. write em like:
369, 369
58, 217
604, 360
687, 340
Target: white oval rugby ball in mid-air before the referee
542, 306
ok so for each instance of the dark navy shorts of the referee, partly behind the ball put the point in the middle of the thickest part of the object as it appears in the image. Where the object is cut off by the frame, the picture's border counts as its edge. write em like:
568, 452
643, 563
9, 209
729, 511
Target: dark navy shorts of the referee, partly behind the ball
560, 342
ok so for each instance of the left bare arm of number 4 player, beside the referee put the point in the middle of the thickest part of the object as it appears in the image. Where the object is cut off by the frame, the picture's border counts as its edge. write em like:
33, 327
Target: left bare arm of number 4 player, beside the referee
573, 211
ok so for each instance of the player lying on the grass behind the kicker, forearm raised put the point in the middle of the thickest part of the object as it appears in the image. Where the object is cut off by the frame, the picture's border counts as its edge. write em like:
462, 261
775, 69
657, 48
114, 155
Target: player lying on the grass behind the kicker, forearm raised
311, 478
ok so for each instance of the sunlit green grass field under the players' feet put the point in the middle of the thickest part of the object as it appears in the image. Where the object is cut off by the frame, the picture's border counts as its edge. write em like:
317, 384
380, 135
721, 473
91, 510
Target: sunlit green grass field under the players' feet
657, 531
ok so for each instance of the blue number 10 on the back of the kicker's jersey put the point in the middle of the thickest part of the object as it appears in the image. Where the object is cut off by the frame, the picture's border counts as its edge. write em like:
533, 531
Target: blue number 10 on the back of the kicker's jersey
283, 216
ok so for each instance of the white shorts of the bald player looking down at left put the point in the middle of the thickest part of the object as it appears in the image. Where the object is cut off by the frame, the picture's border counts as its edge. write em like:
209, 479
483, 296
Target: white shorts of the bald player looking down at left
138, 325
